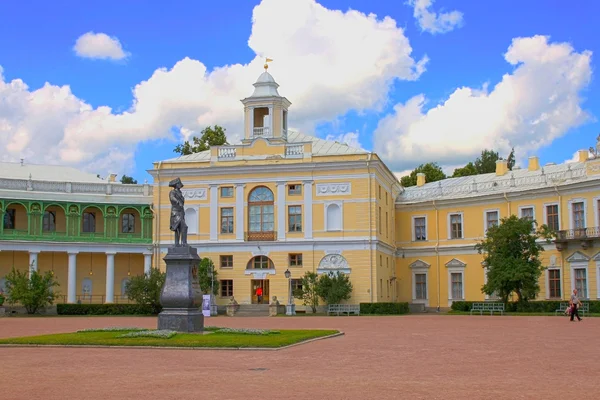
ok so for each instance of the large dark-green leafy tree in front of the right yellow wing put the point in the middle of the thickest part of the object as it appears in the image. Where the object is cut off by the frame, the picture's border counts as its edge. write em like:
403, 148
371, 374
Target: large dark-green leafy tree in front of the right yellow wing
512, 255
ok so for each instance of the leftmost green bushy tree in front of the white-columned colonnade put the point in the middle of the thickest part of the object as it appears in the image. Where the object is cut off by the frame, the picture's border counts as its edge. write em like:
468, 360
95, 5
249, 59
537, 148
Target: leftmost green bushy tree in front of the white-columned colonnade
33, 292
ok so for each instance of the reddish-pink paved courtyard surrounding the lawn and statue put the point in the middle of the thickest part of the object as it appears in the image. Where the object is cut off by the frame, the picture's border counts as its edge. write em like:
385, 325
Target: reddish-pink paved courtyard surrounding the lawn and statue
407, 357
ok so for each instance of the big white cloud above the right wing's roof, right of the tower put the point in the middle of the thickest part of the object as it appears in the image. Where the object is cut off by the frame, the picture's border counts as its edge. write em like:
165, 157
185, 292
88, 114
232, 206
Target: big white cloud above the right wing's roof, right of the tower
529, 108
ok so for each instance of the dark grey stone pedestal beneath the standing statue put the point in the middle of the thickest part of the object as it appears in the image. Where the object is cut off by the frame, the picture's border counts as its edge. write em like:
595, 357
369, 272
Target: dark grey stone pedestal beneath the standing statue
181, 297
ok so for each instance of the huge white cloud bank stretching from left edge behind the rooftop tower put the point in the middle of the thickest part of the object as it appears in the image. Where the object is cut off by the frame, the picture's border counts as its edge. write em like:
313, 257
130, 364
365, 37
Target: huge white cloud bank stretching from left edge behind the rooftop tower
327, 63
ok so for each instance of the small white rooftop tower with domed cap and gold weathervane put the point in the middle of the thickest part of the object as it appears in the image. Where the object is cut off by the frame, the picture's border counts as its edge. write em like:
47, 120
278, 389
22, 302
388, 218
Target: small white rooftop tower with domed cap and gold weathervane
265, 111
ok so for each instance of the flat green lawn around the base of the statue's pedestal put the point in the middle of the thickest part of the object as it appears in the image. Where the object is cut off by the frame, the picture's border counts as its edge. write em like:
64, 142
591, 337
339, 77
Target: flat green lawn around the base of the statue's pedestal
214, 339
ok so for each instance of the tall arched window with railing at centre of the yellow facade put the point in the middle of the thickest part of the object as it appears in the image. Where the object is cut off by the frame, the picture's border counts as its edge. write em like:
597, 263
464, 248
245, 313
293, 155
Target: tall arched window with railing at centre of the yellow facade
261, 217
